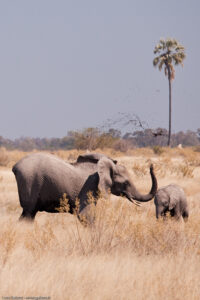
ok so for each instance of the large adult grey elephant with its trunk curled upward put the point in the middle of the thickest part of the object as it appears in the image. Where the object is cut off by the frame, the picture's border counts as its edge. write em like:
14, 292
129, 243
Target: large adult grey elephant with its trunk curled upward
42, 179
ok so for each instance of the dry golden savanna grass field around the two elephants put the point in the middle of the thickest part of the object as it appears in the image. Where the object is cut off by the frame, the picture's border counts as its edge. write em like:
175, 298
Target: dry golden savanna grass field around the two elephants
125, 254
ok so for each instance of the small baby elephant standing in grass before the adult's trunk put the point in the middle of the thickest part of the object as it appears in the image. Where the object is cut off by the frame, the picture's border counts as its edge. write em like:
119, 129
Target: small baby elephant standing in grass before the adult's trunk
171, 198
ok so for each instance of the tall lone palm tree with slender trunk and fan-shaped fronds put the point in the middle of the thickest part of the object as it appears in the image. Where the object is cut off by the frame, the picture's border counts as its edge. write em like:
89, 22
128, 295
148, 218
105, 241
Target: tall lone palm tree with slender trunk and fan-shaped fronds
169, 52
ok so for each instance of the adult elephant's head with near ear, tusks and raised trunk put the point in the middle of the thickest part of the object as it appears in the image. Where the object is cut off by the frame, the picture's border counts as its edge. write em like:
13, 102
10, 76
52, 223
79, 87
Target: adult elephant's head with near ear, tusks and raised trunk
116, 178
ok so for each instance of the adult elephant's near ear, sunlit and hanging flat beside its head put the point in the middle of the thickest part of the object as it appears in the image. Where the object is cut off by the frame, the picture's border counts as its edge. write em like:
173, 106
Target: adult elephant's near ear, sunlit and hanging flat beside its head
105, 168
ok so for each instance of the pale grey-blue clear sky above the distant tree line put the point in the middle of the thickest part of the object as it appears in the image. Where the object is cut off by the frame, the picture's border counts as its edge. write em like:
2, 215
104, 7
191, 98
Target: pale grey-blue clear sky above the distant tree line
72, 64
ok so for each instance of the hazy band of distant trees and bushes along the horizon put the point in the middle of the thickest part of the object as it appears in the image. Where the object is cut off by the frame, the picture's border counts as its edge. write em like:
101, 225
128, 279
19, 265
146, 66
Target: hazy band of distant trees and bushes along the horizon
93, 138
